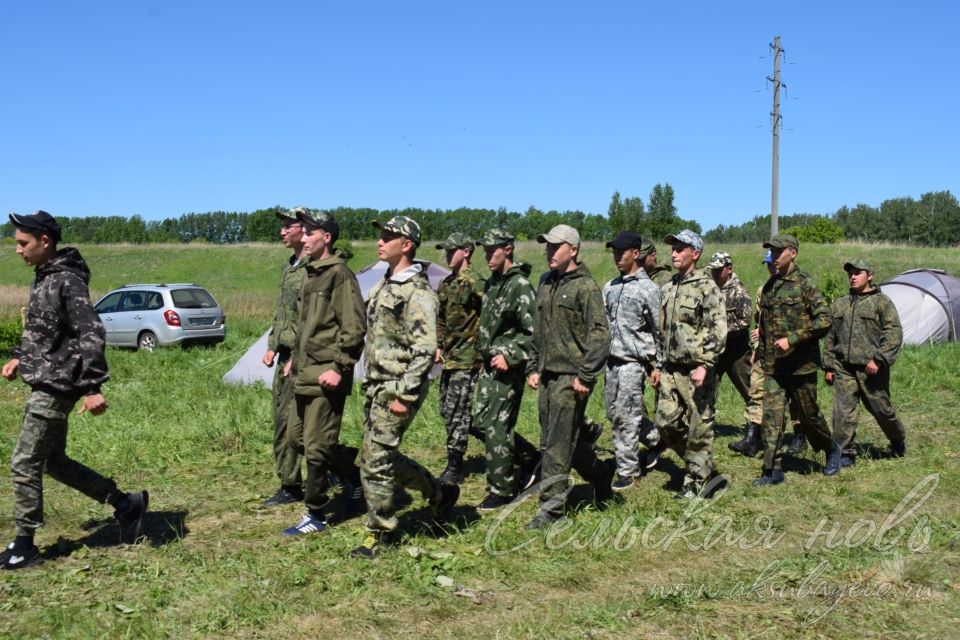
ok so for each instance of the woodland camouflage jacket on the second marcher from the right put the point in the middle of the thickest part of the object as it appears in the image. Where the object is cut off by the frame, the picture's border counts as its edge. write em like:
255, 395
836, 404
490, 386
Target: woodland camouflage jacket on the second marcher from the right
792, 307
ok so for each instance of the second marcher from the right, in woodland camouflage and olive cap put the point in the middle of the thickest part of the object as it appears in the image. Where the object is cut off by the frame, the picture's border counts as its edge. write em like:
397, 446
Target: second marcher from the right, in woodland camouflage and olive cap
794, 315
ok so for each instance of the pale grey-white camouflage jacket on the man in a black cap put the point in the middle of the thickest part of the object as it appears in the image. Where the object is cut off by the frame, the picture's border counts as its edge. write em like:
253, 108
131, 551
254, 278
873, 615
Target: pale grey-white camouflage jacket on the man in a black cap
633, 317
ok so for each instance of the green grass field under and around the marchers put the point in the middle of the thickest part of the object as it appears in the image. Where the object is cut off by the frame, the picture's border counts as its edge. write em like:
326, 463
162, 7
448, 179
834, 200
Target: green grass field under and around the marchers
871, 553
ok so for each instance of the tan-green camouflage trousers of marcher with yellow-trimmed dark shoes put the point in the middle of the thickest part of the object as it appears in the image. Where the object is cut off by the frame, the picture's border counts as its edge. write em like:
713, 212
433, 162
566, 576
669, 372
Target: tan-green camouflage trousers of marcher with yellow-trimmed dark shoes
382, 466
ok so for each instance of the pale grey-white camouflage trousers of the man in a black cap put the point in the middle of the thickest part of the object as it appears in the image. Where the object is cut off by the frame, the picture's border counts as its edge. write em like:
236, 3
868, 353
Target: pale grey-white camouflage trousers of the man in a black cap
623, 397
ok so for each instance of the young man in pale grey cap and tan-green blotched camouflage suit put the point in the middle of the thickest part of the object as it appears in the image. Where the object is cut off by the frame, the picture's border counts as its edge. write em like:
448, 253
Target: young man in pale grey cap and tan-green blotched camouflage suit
693, 330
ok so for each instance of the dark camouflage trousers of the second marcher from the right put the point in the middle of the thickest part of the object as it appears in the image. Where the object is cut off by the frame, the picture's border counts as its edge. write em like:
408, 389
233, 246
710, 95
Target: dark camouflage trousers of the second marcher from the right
800, 391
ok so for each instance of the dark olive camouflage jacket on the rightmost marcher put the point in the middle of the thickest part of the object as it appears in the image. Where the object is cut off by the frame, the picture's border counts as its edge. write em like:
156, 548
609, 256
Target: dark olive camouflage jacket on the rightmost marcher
865, 327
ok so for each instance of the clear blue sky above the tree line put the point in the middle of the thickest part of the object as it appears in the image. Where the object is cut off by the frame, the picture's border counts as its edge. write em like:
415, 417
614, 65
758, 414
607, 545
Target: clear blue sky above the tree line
160, 108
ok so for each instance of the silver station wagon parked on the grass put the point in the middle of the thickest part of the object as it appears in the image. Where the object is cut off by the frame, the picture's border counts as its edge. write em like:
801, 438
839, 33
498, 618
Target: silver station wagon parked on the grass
156, 315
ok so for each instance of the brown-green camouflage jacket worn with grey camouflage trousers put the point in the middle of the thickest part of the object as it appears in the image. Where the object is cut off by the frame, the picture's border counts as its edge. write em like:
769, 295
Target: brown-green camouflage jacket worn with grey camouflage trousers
461, 297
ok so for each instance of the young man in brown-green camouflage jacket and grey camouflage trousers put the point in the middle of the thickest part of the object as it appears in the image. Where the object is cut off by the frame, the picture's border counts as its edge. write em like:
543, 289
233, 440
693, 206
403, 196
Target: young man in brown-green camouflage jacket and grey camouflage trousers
460, 297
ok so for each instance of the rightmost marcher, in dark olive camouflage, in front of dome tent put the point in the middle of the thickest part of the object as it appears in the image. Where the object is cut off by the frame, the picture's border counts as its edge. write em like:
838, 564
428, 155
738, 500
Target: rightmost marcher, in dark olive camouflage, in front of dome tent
858, 352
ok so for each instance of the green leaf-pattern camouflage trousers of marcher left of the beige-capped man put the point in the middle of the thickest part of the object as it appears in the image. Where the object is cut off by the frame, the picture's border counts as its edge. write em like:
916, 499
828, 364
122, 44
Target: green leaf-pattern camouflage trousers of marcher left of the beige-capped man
495, 416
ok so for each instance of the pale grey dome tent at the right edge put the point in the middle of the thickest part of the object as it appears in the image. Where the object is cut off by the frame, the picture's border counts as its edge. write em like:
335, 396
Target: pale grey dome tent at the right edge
928, 301
